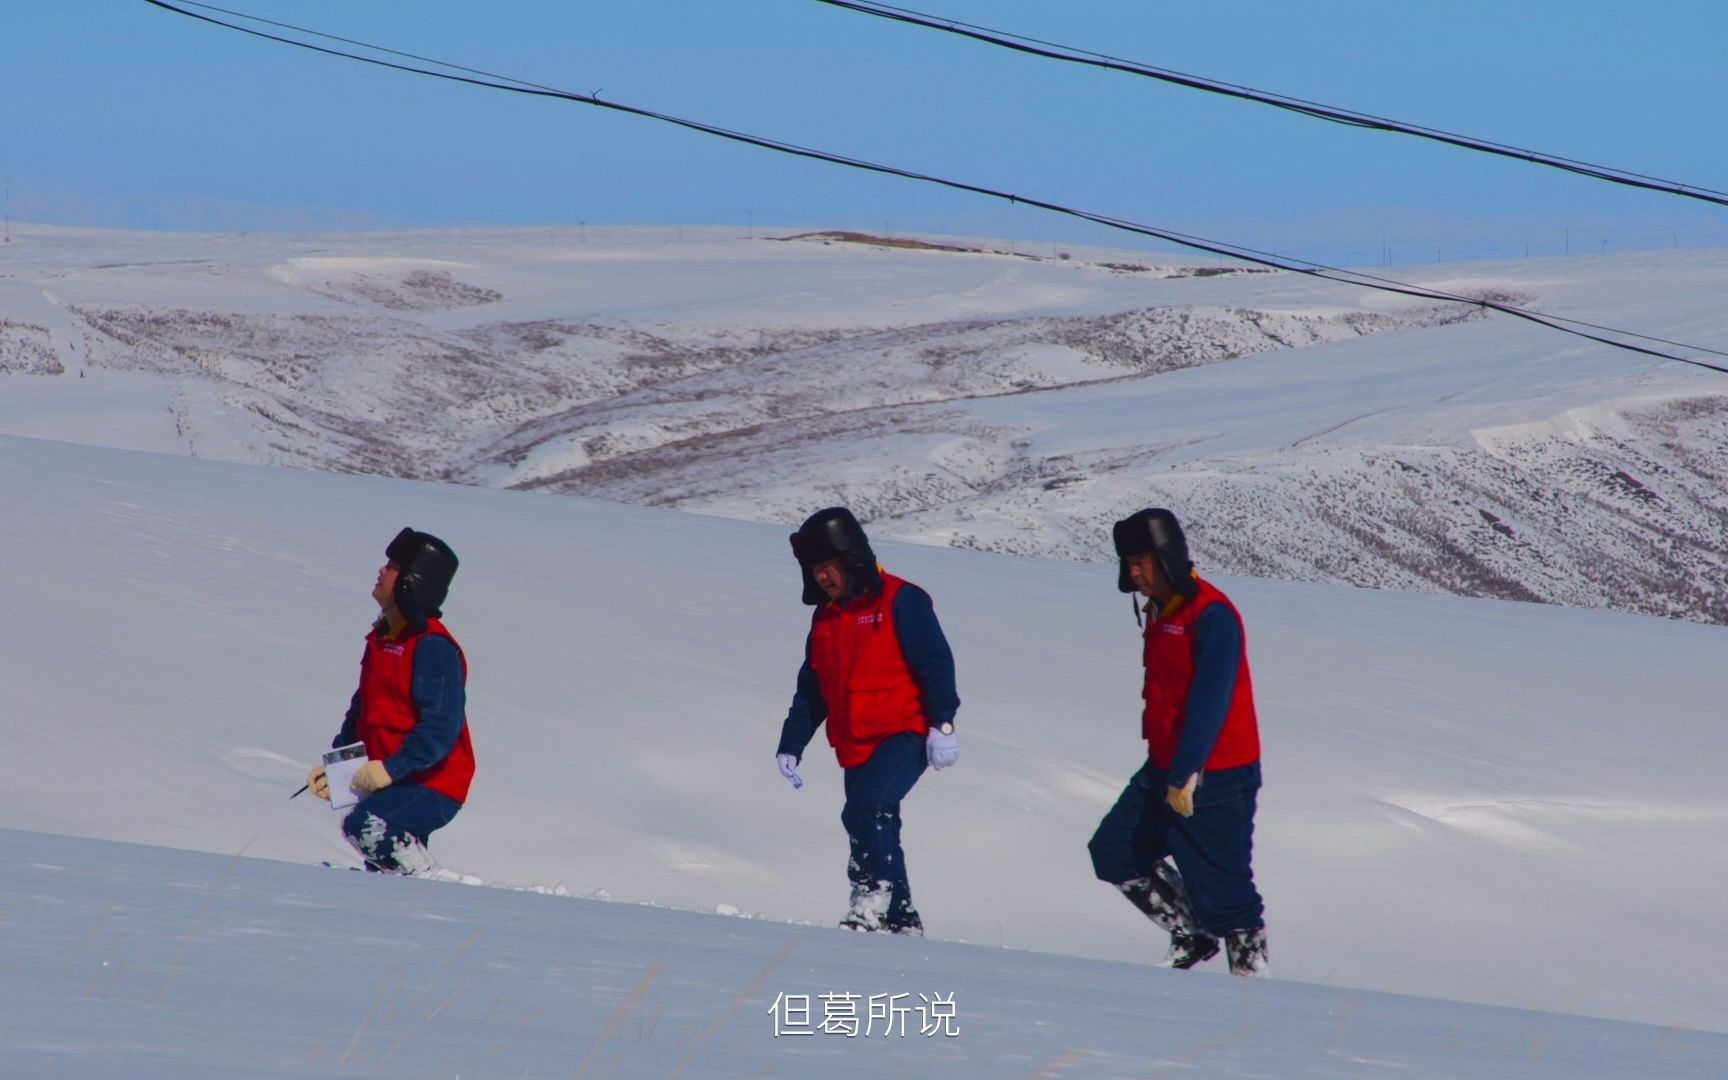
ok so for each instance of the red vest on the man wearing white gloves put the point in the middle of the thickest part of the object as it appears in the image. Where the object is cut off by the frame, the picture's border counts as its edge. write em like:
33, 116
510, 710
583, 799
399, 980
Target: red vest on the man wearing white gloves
868, 687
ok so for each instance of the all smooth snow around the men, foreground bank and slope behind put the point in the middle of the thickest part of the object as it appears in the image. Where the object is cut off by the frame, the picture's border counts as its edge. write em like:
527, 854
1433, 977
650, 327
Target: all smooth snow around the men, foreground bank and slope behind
1477, 801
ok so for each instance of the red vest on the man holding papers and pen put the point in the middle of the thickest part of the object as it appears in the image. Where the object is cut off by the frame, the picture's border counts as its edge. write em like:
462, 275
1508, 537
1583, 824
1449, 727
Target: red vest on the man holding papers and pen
388, 709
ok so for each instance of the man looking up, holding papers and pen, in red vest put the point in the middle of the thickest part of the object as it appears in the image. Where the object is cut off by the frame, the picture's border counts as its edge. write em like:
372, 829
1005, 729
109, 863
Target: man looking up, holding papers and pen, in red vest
410, 713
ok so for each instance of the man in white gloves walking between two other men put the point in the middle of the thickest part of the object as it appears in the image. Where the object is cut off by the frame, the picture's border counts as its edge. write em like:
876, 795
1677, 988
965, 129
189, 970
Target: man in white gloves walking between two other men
879, 671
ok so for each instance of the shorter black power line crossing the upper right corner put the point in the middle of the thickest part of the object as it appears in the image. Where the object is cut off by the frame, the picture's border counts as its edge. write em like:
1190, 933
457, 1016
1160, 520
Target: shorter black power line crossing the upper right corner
1266, 98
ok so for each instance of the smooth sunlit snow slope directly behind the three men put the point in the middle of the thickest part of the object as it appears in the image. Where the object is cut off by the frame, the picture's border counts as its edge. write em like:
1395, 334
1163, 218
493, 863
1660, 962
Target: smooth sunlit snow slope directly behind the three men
1478, 801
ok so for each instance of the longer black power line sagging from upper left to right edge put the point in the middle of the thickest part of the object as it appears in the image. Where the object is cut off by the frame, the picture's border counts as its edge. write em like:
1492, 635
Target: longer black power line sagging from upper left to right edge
1235, 251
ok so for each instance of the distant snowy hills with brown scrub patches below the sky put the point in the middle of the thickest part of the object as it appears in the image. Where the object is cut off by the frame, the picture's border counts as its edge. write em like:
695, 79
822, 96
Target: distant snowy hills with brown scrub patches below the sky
970, 398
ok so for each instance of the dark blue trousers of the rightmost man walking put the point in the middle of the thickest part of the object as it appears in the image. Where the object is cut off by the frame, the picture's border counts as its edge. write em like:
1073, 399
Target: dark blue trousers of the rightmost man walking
1214, 849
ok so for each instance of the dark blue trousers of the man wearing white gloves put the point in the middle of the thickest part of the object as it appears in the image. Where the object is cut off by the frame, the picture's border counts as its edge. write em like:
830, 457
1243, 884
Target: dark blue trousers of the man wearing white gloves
874, 822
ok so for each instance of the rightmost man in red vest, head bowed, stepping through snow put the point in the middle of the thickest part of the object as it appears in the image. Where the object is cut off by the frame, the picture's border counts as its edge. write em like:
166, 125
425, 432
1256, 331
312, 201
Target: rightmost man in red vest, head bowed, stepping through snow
1195, 799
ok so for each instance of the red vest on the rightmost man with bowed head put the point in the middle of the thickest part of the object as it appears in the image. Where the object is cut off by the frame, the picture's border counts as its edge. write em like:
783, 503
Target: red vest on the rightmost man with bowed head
1171, 677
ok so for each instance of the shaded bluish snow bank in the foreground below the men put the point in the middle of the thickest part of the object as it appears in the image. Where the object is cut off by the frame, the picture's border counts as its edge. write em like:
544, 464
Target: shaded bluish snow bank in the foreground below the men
160, 965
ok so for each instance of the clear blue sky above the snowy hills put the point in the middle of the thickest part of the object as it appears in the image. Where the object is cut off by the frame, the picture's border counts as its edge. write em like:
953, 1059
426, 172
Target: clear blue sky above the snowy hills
115, 113
